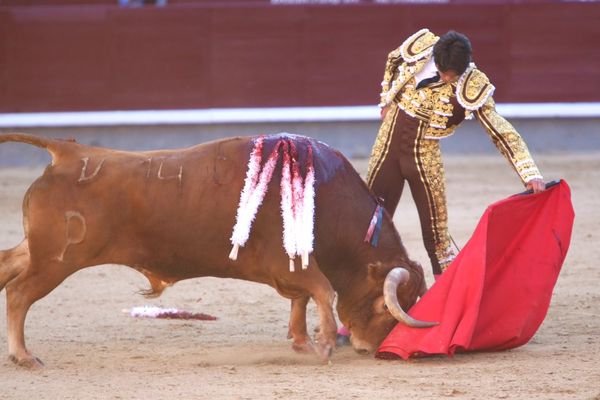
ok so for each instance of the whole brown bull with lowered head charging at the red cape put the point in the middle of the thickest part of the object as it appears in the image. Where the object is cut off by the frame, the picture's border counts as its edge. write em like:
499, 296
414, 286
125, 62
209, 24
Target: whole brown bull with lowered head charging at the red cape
169, 214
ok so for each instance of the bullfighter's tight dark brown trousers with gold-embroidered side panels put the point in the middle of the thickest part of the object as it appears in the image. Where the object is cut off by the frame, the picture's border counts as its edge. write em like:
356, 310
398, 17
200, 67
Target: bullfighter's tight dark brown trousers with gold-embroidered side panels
400, 154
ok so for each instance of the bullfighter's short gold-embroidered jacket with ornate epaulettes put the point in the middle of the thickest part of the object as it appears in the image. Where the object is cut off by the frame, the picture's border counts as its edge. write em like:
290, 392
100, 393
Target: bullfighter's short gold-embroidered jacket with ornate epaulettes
445, 105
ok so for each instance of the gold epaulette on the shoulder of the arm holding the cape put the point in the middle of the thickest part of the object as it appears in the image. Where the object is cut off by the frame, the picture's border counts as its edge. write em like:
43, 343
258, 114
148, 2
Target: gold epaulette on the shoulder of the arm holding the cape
473, 88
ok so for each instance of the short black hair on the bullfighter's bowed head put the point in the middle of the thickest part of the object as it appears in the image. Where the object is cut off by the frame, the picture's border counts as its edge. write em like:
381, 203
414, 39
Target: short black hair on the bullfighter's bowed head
452, 52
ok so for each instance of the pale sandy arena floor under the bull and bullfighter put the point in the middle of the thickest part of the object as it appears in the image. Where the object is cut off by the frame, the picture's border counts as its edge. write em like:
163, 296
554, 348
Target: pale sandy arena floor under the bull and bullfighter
94, 351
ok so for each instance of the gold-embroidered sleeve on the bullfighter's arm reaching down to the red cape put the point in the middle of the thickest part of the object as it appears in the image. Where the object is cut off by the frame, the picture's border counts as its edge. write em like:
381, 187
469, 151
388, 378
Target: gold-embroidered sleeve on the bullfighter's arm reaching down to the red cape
508, 141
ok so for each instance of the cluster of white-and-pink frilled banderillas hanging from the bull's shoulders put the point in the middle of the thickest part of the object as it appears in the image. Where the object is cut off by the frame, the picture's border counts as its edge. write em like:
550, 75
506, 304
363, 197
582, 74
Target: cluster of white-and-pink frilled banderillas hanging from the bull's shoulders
297, 199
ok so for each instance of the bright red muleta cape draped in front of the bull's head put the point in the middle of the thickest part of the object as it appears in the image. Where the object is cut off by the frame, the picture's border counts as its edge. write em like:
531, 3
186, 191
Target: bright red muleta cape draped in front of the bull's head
495, 294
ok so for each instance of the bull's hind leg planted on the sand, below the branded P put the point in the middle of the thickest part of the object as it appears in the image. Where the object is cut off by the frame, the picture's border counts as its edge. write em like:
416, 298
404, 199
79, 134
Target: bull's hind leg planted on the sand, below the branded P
30, 285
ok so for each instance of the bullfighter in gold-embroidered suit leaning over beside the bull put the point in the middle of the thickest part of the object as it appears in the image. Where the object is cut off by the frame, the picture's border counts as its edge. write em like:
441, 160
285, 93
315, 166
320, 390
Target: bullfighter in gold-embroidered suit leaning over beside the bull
430, 85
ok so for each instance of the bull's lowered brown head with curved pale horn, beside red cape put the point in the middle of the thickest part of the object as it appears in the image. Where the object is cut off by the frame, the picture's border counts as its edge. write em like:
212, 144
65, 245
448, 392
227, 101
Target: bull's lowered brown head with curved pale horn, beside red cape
391, 291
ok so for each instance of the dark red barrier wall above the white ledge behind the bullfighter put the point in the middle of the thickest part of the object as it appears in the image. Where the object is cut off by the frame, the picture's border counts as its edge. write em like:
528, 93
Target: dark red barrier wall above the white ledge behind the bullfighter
197, 55
